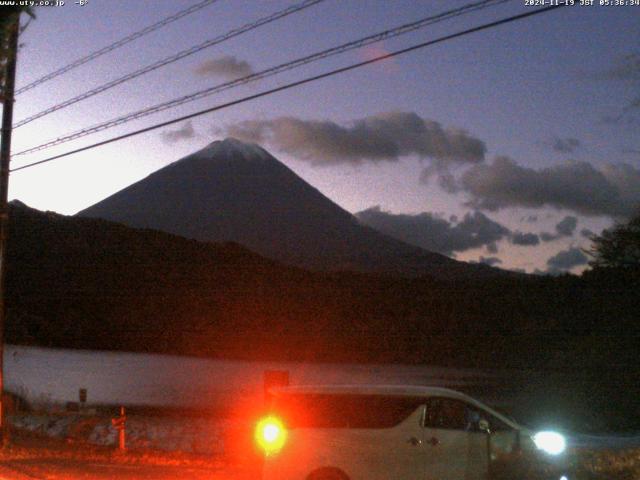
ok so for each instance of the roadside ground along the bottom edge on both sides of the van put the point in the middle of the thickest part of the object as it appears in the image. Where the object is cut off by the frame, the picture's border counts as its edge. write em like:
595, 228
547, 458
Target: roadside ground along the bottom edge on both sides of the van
31, 457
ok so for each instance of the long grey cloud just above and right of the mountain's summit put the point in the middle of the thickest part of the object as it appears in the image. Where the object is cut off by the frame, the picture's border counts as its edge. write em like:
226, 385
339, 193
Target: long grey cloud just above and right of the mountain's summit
385, 137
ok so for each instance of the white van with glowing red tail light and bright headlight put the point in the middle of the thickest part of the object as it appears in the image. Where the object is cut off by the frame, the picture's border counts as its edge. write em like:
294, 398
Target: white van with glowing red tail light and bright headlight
368, 432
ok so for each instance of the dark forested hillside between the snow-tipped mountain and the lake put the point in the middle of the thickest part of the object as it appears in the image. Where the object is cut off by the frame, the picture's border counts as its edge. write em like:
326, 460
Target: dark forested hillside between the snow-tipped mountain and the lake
87, 283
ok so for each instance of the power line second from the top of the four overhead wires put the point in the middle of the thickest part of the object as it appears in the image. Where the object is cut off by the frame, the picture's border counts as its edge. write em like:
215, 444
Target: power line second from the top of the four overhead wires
173, 58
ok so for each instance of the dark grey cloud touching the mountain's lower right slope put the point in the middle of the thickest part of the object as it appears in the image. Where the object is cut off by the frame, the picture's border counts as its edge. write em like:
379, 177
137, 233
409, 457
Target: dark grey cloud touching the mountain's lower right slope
434, 233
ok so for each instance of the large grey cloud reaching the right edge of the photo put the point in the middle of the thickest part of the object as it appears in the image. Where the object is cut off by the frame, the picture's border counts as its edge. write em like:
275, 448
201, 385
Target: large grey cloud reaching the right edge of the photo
612, 190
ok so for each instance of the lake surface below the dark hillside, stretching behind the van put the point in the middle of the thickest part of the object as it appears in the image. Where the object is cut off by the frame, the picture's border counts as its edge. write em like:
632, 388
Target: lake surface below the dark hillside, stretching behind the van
52, 377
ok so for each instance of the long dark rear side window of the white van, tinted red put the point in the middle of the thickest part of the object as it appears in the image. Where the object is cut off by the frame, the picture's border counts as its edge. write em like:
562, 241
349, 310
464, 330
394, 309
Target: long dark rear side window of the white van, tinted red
343, 411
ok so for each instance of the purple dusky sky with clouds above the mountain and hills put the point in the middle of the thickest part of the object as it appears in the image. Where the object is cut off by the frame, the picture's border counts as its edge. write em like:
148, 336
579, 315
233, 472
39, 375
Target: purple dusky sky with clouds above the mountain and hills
509, 146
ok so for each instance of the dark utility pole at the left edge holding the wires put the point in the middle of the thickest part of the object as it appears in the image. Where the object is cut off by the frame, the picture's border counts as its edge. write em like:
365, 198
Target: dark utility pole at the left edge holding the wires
5, 157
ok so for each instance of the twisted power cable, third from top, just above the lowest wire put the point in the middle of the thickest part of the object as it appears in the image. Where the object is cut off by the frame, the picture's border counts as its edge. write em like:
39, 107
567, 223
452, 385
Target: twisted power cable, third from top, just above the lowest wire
394, 32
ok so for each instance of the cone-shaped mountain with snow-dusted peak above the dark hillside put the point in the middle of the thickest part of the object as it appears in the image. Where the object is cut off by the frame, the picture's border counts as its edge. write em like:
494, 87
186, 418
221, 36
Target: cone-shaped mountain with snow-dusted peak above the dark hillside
233, 191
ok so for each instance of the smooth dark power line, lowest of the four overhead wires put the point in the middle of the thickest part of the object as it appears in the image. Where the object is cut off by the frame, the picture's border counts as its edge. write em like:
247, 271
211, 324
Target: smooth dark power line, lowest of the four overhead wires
297, 83
